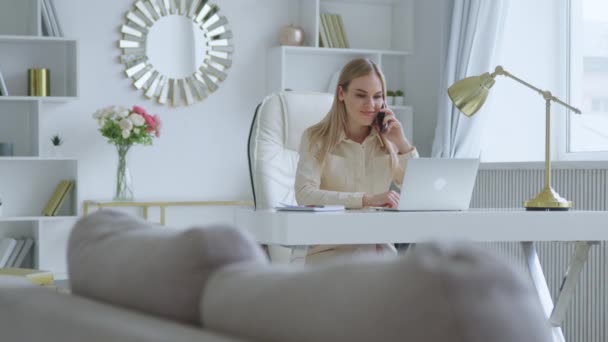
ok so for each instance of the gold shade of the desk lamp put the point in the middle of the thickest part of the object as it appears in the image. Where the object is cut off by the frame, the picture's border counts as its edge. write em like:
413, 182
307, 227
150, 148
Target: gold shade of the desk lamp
469, 94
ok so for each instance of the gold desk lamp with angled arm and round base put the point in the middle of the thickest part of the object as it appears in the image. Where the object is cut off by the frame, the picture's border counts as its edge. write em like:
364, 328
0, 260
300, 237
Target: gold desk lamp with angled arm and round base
469, 94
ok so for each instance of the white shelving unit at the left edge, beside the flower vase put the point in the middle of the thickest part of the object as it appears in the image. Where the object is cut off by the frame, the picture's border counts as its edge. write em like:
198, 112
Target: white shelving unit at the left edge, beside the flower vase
28, 179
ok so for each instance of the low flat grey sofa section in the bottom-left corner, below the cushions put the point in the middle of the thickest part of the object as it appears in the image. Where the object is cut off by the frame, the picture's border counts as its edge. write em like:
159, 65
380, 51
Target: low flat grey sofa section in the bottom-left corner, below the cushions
32, 313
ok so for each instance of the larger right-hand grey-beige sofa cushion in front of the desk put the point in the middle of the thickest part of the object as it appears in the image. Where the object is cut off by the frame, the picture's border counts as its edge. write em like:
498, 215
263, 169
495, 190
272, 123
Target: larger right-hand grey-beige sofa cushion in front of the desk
436, 293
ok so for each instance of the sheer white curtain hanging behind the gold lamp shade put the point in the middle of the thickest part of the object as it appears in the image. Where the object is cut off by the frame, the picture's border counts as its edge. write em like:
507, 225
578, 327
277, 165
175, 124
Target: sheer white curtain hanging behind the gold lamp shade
475, 33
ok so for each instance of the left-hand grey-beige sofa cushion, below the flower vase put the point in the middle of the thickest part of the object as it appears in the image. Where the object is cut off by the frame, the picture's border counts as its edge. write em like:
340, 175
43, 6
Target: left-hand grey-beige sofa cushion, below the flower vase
116, 258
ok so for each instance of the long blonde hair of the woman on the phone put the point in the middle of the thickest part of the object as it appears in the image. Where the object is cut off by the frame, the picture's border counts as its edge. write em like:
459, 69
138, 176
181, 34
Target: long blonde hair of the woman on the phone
323, 136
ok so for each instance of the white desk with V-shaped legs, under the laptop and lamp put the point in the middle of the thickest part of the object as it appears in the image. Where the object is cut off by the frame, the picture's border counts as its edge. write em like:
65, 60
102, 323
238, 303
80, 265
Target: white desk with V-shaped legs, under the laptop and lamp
365, 227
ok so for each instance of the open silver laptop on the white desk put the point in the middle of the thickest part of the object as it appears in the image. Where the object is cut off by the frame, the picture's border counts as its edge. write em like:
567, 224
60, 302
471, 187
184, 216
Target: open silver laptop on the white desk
437, 184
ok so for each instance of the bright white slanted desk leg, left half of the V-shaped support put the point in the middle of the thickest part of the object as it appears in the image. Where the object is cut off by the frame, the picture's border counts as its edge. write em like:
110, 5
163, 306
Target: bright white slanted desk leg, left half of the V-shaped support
540, 282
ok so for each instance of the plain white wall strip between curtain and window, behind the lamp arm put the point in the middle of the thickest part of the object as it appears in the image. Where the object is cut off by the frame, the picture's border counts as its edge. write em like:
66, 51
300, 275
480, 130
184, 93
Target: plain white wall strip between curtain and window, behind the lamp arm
531, 50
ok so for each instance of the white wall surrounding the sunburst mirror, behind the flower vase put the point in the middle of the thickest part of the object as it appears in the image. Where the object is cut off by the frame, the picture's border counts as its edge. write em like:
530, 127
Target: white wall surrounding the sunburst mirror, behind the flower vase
201, 154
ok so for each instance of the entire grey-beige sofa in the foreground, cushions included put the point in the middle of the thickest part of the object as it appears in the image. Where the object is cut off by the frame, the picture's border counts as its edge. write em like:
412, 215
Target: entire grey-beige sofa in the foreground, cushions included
133, 281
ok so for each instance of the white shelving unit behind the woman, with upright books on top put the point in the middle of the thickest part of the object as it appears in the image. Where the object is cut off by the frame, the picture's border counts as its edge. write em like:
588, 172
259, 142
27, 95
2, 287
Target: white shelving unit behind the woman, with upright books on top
381, 30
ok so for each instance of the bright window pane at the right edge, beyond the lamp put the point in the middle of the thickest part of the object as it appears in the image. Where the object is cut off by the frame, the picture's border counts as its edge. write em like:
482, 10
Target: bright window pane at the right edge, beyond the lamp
588, 84
